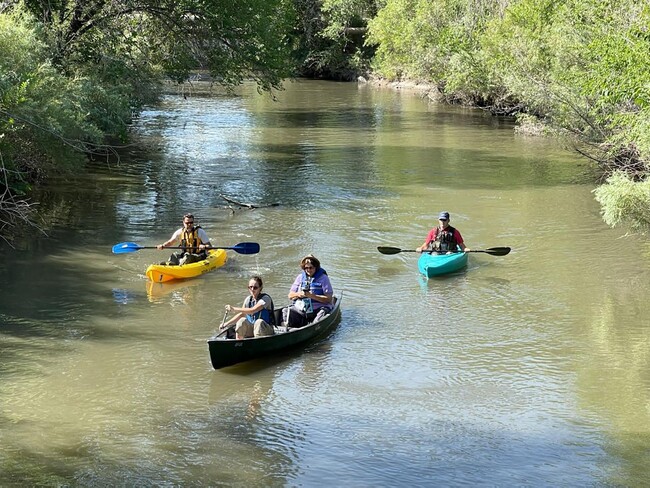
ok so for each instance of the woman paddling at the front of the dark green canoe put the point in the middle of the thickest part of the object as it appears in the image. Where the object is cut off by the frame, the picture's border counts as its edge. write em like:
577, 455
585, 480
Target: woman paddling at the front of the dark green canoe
255, 317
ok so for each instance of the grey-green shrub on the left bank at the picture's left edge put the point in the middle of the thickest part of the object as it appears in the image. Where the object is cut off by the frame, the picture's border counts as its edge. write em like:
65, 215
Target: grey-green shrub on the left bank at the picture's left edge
39, 108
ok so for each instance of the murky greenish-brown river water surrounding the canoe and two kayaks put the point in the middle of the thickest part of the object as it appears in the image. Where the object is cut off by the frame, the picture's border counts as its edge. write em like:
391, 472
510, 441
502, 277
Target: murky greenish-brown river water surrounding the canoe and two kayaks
529, 369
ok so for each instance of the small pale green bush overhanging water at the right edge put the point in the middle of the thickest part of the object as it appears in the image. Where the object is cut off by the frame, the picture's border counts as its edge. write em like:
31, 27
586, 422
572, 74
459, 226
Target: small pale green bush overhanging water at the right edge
625, 201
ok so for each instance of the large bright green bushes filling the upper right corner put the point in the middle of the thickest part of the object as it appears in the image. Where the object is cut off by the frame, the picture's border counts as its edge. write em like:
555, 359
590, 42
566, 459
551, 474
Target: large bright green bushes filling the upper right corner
583, 67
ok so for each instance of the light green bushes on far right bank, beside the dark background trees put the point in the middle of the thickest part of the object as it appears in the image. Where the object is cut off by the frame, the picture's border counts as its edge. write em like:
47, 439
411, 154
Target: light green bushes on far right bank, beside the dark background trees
437, 42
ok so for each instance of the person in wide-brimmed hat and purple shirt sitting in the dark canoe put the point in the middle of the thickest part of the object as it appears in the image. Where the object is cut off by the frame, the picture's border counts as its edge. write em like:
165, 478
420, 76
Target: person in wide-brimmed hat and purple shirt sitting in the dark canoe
311, 293
